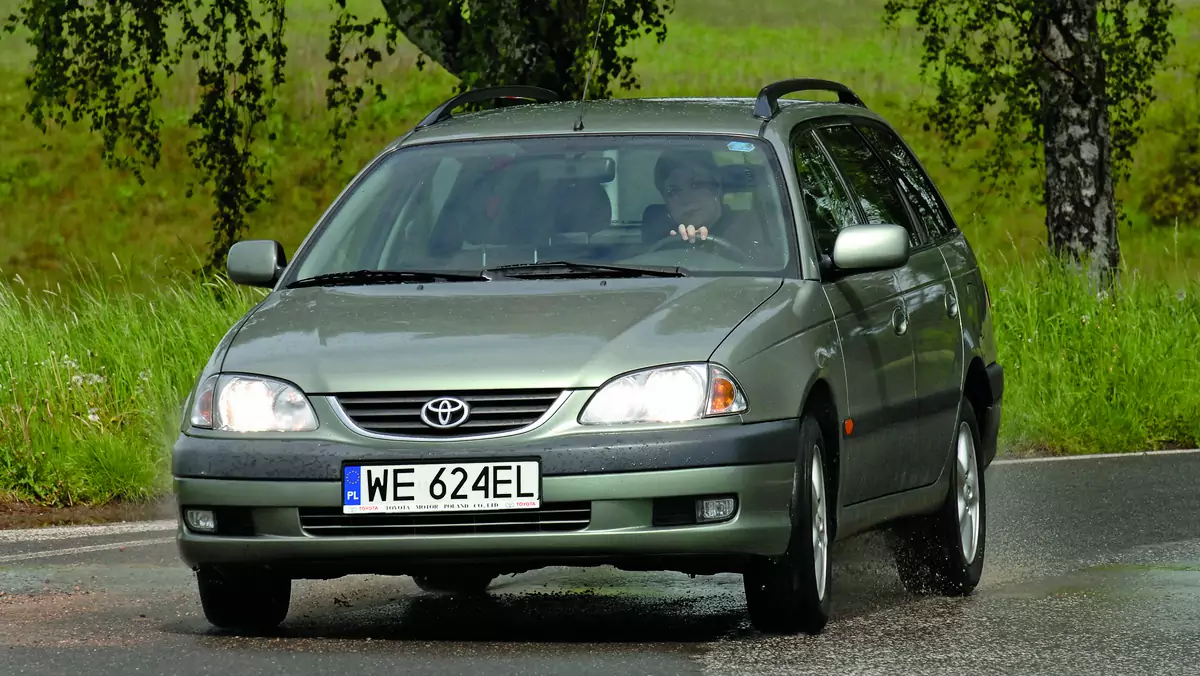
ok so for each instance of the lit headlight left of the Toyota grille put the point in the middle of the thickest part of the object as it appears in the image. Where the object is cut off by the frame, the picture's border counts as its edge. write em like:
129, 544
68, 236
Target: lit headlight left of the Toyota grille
250, 404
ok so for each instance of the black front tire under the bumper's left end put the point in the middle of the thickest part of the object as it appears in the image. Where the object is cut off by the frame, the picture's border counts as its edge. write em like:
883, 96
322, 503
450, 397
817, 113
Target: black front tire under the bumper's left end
244, 601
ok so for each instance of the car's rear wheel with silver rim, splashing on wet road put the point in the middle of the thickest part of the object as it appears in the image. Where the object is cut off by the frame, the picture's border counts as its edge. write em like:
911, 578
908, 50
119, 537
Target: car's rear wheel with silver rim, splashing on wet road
932, 554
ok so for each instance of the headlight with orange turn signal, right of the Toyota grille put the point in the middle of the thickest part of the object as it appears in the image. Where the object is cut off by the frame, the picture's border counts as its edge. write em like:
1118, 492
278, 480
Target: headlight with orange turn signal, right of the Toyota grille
668, 394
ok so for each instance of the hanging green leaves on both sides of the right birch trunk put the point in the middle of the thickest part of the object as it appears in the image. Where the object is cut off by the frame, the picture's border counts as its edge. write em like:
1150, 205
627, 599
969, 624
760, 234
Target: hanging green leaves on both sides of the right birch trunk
988, 61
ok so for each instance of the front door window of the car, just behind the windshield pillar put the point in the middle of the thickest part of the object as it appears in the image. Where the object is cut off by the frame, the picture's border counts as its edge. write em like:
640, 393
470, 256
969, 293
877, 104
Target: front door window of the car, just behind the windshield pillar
826, 204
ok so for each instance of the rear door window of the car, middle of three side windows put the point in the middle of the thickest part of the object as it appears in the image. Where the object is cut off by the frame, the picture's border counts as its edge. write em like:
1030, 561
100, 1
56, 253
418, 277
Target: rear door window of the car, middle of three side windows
869, 180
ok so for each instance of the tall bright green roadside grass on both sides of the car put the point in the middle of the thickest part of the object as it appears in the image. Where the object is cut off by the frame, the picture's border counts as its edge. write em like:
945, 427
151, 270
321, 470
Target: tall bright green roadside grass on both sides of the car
92, 385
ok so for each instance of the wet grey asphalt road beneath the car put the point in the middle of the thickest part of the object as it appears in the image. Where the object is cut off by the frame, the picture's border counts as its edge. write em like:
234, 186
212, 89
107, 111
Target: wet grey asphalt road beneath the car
1094, 567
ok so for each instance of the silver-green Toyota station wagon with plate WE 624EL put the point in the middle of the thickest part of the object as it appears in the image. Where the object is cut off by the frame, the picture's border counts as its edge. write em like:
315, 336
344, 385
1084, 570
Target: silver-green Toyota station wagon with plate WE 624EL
694, 336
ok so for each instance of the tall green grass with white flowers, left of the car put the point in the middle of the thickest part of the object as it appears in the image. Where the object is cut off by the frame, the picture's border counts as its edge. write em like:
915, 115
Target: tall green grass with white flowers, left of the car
92, 386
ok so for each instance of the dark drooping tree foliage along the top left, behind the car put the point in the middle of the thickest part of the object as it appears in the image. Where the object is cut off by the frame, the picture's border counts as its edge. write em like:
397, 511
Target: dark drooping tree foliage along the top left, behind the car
104, 62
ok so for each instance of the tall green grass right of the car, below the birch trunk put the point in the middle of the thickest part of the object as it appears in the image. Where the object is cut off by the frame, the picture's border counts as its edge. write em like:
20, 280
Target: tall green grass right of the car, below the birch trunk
1095, 375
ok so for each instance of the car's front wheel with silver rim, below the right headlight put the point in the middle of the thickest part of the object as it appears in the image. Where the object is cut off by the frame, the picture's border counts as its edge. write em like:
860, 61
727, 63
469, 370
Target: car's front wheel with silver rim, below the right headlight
793, 594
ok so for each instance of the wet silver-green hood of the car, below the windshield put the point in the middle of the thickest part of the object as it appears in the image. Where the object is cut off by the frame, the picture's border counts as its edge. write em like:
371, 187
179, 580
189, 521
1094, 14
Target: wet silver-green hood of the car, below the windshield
489, 336
